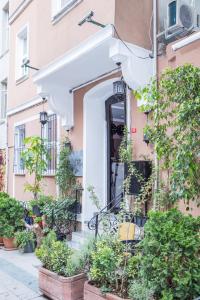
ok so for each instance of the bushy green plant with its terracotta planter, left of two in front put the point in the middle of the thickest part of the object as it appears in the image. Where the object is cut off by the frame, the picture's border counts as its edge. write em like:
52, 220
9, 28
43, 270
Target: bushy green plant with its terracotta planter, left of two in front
60, 277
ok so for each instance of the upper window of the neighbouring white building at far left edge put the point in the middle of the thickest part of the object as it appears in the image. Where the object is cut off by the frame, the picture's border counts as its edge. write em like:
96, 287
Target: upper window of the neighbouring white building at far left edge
5, 29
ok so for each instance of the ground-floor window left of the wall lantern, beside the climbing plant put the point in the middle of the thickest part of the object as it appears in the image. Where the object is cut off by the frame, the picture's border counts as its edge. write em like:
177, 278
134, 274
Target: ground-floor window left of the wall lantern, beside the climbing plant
18, 148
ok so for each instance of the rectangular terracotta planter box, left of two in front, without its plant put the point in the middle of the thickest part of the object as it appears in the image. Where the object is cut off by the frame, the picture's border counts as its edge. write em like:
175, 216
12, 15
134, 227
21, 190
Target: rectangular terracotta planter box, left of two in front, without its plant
61, 288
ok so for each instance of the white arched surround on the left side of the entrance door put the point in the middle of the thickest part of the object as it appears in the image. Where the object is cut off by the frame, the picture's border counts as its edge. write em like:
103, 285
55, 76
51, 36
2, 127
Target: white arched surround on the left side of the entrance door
95, 146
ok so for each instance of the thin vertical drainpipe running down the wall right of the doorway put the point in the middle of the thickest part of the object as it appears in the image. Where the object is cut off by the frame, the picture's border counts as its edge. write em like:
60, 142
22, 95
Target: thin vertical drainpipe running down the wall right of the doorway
155, 66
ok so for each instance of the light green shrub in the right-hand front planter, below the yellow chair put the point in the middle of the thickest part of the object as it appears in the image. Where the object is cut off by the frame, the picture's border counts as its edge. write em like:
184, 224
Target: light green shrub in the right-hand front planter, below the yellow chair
109, 270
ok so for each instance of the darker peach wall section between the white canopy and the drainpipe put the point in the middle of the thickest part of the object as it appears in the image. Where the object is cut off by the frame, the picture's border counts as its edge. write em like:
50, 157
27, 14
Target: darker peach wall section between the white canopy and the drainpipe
133, 21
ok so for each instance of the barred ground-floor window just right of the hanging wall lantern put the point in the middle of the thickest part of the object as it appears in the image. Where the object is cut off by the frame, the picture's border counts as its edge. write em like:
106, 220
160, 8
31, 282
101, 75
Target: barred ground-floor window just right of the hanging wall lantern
49, 134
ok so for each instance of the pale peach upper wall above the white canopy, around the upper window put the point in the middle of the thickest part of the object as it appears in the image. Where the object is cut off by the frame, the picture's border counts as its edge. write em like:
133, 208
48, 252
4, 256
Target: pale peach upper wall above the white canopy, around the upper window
48, 41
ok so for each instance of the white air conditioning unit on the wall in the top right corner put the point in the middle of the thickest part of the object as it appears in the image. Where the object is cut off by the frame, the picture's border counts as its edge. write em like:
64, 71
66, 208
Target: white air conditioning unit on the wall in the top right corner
182, 17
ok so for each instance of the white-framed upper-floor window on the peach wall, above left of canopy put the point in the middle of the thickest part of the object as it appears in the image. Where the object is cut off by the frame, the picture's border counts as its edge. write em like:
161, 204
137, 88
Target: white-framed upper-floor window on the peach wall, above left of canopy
22, 53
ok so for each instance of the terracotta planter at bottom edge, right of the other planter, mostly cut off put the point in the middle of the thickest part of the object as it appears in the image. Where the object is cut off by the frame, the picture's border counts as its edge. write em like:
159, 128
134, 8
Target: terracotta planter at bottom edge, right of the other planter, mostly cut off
93, 293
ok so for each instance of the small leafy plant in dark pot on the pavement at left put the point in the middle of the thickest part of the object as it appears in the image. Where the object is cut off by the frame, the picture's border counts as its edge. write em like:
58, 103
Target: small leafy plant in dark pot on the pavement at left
25, 241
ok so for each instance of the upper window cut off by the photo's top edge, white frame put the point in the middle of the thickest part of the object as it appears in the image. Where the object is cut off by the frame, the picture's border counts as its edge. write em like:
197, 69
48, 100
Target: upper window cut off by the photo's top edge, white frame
60, 7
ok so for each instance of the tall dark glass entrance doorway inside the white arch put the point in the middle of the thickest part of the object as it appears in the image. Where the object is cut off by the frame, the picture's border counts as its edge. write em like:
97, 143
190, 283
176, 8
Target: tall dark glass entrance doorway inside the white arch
116, 121
